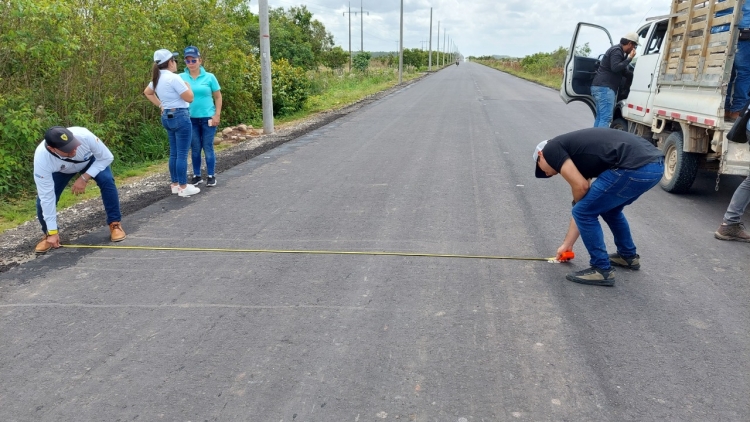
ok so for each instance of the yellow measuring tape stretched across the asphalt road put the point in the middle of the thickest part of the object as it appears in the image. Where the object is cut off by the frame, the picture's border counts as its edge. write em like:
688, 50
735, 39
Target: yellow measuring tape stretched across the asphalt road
432, 255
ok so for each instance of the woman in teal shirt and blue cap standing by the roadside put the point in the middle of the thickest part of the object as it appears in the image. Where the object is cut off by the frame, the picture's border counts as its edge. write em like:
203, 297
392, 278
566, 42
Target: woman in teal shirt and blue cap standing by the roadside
205, 114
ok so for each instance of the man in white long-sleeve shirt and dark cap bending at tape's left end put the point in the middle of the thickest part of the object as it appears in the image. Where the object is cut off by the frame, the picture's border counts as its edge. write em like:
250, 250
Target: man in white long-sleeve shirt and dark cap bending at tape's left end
64, 153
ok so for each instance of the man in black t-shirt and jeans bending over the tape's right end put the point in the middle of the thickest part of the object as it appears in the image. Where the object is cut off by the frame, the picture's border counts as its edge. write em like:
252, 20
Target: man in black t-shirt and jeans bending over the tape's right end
625, 166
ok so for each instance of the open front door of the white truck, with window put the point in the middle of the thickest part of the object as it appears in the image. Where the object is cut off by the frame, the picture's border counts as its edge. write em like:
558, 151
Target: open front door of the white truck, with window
580, 68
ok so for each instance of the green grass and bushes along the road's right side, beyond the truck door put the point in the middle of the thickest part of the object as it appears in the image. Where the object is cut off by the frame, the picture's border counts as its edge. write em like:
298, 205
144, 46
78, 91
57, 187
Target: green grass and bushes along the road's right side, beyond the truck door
542, 68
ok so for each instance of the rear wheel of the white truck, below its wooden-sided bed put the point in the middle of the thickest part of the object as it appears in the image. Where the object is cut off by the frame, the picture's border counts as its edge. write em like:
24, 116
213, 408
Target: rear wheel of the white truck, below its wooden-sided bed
680, 167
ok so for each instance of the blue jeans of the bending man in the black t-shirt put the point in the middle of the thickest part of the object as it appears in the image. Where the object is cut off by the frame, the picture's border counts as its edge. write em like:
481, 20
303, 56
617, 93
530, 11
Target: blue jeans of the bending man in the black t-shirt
609, 194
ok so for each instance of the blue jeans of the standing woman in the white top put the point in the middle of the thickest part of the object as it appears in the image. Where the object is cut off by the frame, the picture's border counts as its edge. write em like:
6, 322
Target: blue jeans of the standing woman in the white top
180, 132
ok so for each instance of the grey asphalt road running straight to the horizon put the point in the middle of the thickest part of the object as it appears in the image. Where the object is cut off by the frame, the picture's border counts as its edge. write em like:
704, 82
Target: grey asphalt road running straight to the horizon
443, 166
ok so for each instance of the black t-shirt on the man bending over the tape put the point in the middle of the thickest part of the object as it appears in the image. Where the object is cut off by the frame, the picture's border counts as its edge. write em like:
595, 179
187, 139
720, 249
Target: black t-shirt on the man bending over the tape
597, 149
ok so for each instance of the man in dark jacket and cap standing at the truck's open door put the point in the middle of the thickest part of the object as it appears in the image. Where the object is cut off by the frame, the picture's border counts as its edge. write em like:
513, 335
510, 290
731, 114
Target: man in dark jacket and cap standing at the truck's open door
612, 68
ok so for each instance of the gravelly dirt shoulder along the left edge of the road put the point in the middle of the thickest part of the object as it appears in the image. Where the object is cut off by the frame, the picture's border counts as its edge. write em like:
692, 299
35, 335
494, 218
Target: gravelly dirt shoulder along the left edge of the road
17, 245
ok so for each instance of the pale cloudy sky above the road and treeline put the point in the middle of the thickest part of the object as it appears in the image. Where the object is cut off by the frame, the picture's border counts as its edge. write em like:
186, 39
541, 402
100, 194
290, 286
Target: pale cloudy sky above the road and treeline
515, 28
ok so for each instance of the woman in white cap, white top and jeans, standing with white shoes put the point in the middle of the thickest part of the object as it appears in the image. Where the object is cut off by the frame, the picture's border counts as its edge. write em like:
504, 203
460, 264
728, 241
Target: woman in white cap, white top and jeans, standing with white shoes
173, 96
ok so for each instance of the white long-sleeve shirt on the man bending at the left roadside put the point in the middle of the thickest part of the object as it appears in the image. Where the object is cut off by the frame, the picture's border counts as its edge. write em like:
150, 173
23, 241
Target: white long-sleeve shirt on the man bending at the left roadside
45, 164
